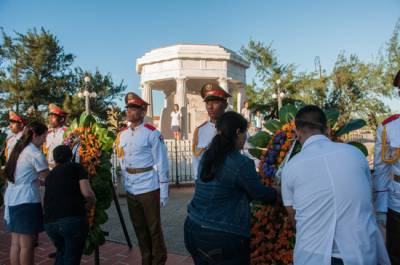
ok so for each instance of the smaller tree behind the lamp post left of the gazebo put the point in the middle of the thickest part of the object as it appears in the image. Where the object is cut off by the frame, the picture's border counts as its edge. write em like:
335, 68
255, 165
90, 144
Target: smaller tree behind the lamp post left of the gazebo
107, 93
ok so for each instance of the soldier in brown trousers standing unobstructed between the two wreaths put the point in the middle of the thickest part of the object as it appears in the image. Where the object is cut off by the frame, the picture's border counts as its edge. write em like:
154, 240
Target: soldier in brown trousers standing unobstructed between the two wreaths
144, 165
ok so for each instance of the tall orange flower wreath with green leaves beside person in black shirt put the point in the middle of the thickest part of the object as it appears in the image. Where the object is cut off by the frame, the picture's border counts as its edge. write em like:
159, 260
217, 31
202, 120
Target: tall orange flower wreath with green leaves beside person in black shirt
92, 144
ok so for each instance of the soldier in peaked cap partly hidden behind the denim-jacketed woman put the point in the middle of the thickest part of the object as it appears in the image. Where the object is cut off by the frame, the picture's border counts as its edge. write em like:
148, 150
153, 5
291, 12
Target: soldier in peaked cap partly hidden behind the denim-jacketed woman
216, 101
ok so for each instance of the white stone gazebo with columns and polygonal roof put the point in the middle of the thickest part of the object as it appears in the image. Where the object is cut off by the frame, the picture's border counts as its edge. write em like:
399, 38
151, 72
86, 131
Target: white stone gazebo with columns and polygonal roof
180, 71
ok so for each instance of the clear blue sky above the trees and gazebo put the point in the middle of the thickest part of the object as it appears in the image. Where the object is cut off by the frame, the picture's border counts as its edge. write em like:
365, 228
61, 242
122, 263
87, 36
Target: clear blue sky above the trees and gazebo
111, 35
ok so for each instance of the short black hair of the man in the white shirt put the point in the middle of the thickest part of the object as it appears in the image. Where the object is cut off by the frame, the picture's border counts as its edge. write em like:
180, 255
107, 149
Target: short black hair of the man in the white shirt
311, 117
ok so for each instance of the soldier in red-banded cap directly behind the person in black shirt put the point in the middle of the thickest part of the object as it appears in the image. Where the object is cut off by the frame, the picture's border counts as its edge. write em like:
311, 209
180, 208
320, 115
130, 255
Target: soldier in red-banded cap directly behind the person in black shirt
55, 135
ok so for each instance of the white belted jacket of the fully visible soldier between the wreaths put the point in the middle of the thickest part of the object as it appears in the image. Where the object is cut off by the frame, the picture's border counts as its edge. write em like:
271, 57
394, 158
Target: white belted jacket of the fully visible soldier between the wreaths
139, 148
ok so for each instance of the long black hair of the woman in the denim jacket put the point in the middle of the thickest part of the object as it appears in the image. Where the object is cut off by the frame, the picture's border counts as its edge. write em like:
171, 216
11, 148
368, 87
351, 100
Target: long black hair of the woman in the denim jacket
222, 144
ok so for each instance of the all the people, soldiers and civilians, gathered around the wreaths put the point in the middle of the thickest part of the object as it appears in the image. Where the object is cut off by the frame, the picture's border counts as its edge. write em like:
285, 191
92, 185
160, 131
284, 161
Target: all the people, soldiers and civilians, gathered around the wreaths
339, 208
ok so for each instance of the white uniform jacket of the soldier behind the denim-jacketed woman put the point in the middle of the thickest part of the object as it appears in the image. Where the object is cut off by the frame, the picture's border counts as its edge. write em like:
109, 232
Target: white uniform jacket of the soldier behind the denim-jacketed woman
202, 138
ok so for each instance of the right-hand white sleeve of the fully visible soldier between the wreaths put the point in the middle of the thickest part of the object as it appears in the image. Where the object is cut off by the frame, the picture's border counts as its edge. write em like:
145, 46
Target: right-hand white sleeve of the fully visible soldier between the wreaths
160, 157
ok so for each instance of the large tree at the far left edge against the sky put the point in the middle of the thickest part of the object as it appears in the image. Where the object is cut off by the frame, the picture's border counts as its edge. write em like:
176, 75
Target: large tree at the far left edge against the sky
36, 70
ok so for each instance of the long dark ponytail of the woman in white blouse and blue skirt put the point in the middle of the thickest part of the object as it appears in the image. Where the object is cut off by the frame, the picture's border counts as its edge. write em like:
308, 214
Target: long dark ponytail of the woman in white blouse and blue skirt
35, 127
